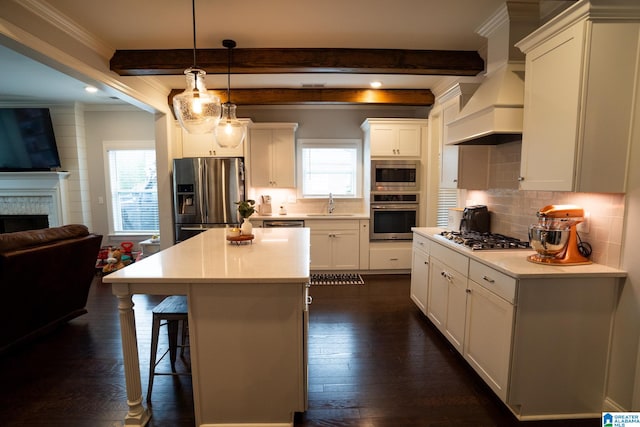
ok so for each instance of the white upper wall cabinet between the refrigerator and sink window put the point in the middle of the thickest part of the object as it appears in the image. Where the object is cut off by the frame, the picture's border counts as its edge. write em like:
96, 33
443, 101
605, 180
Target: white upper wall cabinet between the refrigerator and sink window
272, 155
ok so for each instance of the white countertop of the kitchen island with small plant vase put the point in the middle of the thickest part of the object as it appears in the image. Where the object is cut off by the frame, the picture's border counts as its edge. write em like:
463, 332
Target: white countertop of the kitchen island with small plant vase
279, 255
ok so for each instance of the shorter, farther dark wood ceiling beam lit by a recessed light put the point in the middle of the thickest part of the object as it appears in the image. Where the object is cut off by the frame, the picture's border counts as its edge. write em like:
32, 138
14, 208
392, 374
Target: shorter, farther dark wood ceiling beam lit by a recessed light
389, 97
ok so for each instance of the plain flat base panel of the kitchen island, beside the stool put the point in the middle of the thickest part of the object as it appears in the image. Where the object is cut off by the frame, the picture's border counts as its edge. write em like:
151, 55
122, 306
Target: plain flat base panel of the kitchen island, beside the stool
247, 353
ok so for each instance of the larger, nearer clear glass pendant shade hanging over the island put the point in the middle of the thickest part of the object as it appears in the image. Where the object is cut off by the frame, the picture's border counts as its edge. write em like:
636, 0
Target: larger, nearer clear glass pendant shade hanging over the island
197, 110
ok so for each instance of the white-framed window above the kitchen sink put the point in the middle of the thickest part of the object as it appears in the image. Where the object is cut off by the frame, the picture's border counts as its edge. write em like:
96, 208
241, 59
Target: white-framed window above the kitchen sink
330, 166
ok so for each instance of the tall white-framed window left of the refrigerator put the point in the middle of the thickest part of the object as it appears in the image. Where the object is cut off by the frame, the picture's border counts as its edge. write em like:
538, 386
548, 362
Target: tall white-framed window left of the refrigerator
132, 191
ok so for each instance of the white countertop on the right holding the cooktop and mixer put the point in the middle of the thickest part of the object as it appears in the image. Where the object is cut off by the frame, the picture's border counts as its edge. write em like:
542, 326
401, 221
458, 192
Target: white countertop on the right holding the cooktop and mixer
514, 263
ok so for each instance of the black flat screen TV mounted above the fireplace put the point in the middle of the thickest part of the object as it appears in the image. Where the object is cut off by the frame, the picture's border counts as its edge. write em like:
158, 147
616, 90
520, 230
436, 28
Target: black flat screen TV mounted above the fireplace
27, 141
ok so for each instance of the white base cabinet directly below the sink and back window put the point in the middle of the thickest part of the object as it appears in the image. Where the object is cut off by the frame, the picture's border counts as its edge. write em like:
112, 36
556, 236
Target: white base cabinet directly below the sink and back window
335, 244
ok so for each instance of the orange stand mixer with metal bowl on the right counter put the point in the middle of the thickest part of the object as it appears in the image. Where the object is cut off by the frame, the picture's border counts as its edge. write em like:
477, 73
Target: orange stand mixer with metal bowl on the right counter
555, 237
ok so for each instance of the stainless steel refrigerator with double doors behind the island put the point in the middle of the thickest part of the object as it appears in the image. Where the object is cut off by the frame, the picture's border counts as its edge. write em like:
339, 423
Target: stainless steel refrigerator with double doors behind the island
205, 193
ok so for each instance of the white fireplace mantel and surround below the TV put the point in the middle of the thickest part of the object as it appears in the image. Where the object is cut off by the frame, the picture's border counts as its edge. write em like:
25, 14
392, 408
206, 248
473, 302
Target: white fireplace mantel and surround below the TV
32, 186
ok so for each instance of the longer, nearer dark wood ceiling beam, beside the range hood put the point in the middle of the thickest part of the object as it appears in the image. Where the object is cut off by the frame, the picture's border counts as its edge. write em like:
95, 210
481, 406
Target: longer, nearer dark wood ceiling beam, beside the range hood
312, 60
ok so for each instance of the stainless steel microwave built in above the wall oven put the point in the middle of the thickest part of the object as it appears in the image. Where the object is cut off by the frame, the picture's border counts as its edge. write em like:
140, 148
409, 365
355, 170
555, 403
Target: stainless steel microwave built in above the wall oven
395, 175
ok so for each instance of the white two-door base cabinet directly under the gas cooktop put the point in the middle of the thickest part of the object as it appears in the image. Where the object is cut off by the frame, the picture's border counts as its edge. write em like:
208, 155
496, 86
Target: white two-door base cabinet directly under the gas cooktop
446, 300
